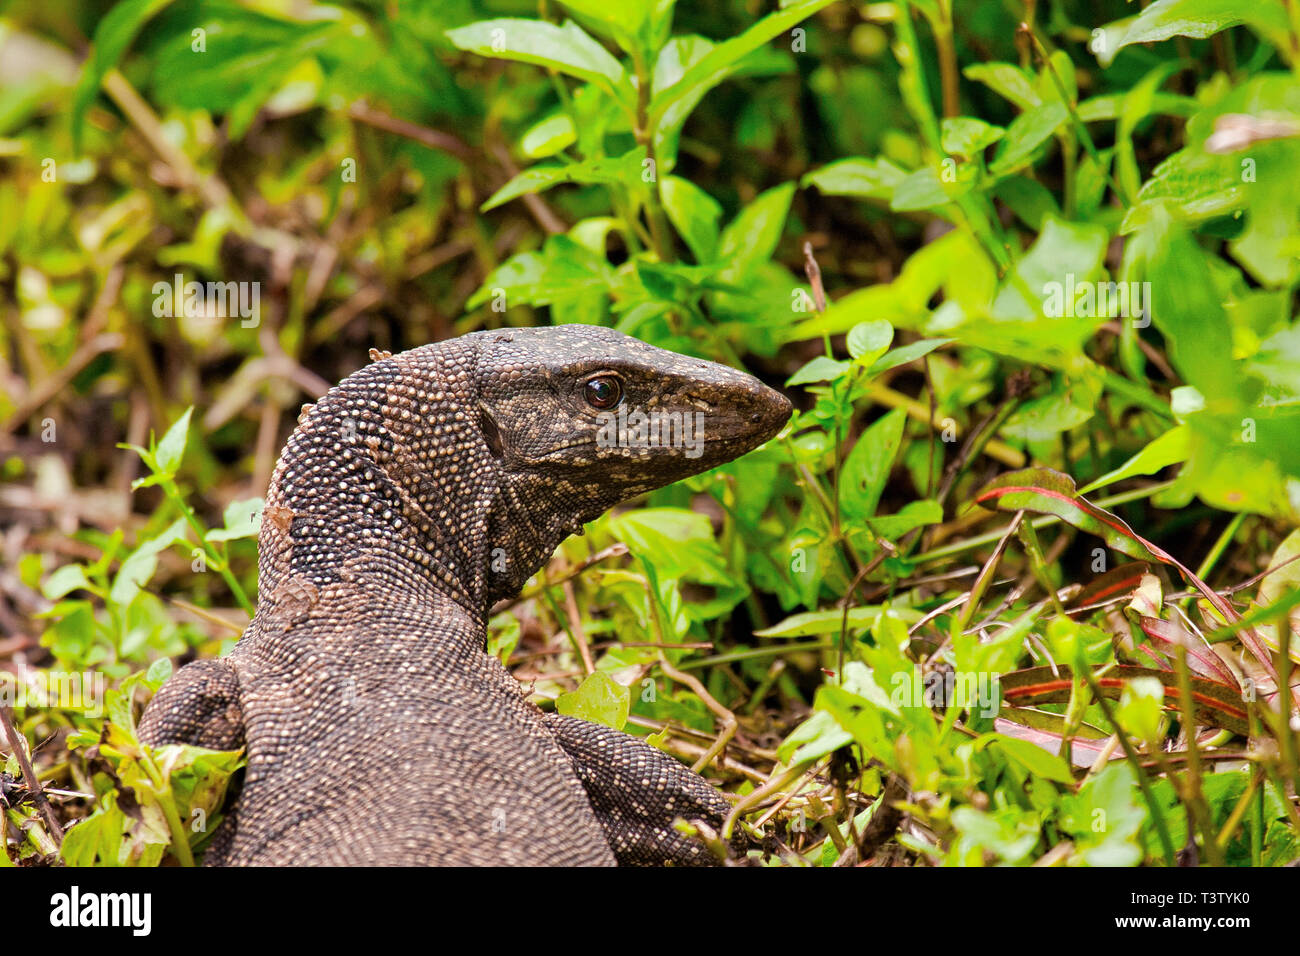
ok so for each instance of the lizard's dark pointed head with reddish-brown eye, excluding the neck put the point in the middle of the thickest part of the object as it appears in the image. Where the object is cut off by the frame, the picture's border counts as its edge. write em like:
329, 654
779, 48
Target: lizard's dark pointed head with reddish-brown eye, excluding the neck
580, 418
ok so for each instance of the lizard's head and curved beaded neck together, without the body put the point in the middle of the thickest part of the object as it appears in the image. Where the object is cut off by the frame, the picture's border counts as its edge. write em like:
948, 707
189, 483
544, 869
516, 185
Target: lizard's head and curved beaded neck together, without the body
474, 458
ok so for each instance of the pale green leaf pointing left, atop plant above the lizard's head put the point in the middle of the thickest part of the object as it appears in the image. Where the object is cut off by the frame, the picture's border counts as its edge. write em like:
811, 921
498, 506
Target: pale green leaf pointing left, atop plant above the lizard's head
567, 49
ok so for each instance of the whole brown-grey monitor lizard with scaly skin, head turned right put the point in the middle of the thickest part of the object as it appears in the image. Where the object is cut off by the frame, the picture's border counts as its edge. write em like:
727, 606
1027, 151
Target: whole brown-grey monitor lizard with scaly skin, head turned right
414, 496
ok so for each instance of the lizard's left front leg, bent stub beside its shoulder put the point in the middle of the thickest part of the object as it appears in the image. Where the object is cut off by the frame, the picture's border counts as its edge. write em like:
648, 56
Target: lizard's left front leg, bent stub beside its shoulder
200, 707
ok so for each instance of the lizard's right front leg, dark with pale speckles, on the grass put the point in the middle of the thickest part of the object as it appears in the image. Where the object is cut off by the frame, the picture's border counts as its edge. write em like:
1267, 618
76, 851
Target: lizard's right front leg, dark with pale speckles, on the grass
638, 791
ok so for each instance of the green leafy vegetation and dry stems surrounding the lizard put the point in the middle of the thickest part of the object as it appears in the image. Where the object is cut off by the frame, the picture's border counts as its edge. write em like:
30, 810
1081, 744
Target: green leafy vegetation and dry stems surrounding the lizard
899, 634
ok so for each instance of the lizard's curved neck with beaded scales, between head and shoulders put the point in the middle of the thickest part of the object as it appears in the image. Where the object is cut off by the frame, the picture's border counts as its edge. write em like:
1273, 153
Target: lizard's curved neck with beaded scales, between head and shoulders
388, 483
